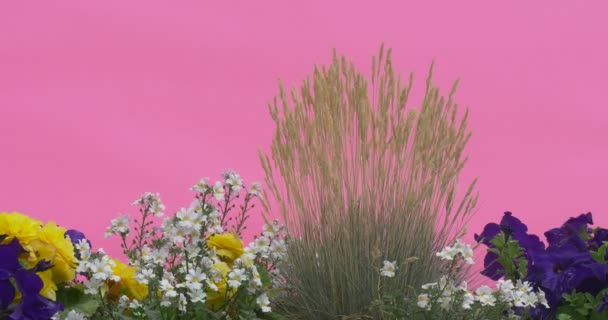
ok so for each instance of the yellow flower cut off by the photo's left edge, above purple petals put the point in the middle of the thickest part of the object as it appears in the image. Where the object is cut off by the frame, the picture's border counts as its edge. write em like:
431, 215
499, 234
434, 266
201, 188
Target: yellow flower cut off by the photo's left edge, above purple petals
18, 225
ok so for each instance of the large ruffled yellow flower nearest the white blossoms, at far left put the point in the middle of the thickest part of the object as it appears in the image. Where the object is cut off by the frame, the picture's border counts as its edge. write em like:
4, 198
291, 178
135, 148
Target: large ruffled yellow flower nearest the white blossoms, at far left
63, 259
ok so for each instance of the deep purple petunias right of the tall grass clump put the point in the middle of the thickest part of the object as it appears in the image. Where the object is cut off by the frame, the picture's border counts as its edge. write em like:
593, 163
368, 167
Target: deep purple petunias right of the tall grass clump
564, 266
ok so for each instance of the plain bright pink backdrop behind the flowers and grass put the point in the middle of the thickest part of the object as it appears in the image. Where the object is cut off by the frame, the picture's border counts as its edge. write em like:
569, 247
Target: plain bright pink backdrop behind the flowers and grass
103, 100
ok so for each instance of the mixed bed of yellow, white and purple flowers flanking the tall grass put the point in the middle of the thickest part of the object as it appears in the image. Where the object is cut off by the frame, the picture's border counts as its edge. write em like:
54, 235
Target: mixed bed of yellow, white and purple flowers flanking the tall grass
193, 265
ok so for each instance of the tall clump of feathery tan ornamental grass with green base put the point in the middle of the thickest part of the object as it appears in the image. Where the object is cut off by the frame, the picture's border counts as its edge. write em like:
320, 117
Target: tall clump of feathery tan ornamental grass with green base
359, 179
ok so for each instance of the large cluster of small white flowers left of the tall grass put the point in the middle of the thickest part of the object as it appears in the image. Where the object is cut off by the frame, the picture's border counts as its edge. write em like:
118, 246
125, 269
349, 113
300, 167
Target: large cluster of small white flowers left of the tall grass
179, 262
